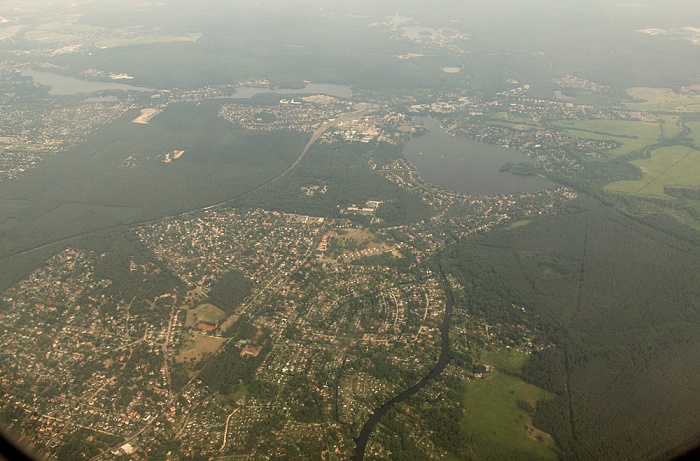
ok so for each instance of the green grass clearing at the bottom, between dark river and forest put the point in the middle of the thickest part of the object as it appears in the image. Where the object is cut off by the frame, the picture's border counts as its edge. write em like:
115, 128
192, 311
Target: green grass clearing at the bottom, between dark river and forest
497, 426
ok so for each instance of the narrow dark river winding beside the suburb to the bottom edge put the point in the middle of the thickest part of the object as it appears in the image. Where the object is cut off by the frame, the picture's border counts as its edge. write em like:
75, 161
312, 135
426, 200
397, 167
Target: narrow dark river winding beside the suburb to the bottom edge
443, 360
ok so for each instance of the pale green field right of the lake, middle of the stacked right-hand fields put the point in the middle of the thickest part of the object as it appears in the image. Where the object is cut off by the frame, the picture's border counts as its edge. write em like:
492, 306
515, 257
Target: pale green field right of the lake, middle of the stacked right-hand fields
632, 135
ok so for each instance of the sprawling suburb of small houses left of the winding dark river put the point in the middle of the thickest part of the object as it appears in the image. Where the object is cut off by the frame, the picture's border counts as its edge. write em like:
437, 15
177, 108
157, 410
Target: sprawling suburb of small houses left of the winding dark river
130, 376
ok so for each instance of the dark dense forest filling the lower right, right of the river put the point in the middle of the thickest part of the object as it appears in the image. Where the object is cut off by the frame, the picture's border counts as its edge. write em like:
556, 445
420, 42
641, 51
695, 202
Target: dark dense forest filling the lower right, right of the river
621, 302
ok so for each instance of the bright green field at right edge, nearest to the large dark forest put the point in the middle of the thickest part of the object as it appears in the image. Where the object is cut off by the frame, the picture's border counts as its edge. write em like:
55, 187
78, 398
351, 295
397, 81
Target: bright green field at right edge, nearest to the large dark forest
677, 165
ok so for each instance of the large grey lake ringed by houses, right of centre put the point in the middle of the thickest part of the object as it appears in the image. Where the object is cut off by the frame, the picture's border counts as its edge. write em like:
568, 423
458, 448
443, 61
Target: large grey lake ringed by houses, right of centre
464, 165
